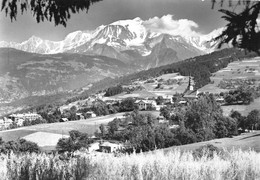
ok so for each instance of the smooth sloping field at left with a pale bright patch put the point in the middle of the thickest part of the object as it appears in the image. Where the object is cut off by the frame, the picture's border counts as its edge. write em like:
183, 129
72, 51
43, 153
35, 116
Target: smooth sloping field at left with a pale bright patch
48, 134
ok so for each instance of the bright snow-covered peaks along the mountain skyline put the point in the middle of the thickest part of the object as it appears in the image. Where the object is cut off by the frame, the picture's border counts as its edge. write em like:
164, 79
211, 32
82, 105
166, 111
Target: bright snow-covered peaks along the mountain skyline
121, 35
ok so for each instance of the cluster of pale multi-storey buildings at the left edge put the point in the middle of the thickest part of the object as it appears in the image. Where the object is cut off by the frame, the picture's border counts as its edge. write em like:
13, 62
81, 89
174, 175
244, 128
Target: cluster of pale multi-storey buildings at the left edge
18, 119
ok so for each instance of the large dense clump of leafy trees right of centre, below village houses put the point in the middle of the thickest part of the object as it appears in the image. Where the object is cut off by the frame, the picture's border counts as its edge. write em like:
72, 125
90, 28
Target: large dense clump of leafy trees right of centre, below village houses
201, 120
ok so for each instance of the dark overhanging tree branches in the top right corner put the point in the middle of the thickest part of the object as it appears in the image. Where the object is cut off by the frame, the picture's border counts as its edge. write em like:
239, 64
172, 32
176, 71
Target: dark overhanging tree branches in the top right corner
242, 30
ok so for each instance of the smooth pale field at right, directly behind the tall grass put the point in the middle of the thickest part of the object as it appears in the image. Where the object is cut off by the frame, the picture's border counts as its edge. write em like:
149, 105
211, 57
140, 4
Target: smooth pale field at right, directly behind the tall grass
244, 141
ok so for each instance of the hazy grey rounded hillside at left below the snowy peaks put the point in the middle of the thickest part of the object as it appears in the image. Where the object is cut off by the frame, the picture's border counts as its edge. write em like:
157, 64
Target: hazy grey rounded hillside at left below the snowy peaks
25, 74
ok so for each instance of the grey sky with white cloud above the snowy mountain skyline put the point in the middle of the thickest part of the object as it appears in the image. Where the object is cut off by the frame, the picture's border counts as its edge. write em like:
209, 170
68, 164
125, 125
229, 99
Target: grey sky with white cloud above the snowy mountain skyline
194, 15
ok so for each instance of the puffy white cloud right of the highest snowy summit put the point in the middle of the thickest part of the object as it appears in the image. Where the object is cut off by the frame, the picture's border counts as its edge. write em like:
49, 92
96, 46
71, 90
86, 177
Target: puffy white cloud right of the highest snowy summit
166, 24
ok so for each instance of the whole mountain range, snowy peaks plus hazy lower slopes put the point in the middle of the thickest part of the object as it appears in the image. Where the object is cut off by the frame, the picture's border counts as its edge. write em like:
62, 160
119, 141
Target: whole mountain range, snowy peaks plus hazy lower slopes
40, 67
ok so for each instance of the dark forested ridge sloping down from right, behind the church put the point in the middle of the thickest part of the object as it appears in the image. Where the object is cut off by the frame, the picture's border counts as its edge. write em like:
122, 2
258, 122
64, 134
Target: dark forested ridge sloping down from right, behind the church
200, 67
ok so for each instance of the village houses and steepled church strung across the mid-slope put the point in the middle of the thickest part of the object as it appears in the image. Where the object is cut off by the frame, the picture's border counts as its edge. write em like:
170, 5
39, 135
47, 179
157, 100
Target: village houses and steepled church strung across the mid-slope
152, 103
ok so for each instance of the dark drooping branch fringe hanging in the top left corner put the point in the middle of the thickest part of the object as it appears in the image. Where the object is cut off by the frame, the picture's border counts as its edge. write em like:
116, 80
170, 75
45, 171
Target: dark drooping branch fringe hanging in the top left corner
58, 11
